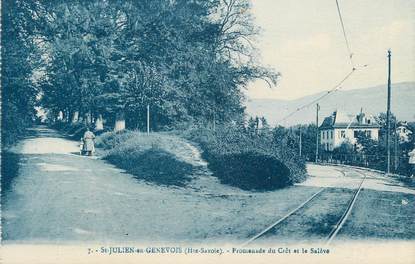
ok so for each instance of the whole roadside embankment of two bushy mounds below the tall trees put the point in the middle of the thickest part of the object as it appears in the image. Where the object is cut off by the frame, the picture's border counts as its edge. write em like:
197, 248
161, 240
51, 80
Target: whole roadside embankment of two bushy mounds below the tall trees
255, 162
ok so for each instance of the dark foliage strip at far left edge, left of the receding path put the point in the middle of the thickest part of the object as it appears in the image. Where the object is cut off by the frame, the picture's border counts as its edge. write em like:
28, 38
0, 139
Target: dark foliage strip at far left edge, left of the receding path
19, 80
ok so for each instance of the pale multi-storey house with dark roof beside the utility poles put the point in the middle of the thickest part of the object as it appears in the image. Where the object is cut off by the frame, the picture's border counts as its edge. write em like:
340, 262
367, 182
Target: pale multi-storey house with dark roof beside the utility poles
340, 127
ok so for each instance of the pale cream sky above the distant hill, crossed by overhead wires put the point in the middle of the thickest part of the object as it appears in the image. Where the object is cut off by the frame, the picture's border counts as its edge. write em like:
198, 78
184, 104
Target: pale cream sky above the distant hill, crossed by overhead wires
303, 40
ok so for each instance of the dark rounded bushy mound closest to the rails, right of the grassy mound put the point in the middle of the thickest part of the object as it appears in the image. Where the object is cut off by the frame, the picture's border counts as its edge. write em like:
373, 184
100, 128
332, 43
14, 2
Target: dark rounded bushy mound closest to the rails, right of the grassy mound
249, 161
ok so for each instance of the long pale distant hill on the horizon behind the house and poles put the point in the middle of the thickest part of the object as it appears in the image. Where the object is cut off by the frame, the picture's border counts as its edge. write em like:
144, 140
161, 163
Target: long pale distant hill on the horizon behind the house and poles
372, 100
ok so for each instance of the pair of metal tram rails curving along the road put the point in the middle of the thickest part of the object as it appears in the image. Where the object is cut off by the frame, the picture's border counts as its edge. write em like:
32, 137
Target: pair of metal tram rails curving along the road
328, 237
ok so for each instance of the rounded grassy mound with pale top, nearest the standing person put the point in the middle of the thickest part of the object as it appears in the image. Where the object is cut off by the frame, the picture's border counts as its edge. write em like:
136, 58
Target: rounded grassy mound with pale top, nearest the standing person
155, 158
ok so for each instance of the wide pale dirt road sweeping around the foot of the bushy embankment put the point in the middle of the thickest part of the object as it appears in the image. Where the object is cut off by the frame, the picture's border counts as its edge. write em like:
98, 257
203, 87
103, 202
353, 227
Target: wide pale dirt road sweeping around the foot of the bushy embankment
61, 197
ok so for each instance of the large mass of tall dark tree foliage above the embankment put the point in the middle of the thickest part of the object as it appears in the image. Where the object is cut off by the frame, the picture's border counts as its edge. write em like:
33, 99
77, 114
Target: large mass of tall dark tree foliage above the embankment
188, 60
